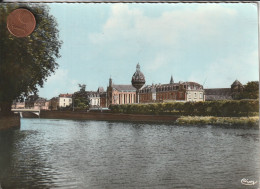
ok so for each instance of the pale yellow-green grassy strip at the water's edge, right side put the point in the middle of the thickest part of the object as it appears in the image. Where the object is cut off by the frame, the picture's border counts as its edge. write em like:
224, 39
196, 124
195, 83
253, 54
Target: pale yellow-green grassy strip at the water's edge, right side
226, 121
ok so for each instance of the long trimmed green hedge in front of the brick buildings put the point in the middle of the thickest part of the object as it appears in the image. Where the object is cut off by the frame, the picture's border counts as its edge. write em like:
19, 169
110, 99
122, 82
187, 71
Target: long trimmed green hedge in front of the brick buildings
226, 108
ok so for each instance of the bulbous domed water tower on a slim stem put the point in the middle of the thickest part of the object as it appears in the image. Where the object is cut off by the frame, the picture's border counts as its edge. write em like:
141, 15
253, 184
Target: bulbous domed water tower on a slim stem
138, 80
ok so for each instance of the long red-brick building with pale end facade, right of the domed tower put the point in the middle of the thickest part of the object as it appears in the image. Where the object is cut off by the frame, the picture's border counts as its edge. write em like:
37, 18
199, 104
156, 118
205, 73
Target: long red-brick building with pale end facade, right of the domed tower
181, 91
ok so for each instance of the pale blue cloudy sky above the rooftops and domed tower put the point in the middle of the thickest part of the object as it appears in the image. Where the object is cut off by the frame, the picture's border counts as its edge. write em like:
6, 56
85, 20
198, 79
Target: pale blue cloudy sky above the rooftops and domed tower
212, 44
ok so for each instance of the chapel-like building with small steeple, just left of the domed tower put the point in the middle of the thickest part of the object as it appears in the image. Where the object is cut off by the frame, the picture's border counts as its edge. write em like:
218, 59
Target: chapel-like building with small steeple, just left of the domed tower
120, 94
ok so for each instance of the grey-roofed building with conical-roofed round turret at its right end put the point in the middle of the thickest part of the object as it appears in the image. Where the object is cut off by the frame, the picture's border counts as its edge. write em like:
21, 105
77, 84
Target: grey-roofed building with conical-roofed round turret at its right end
224, 93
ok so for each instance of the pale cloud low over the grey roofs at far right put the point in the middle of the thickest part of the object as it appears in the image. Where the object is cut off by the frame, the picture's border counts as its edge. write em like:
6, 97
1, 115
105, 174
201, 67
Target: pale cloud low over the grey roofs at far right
224, 71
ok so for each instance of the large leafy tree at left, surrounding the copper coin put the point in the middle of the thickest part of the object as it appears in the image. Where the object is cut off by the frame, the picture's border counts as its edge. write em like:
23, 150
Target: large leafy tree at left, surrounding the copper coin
26, 62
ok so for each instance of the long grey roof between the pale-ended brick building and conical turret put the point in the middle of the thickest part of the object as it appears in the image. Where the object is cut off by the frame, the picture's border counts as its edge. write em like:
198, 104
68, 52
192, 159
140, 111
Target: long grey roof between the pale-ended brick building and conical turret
218, 94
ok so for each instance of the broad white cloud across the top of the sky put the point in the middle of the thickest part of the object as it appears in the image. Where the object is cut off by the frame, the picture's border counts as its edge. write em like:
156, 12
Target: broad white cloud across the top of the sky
127, 23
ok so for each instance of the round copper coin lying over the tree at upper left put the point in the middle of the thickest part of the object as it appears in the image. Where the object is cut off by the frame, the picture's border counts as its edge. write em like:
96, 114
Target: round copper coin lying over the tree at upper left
21, 22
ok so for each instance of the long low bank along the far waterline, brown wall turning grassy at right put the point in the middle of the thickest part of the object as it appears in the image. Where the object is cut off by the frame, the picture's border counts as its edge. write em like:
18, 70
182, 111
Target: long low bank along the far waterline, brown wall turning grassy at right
175, 120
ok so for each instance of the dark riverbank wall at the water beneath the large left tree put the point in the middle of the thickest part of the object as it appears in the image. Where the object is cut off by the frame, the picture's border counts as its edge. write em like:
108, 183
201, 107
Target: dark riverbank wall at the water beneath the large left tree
9, 122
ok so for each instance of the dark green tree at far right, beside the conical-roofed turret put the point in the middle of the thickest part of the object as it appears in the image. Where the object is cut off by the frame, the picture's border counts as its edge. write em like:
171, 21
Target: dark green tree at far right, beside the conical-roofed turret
251, 90
